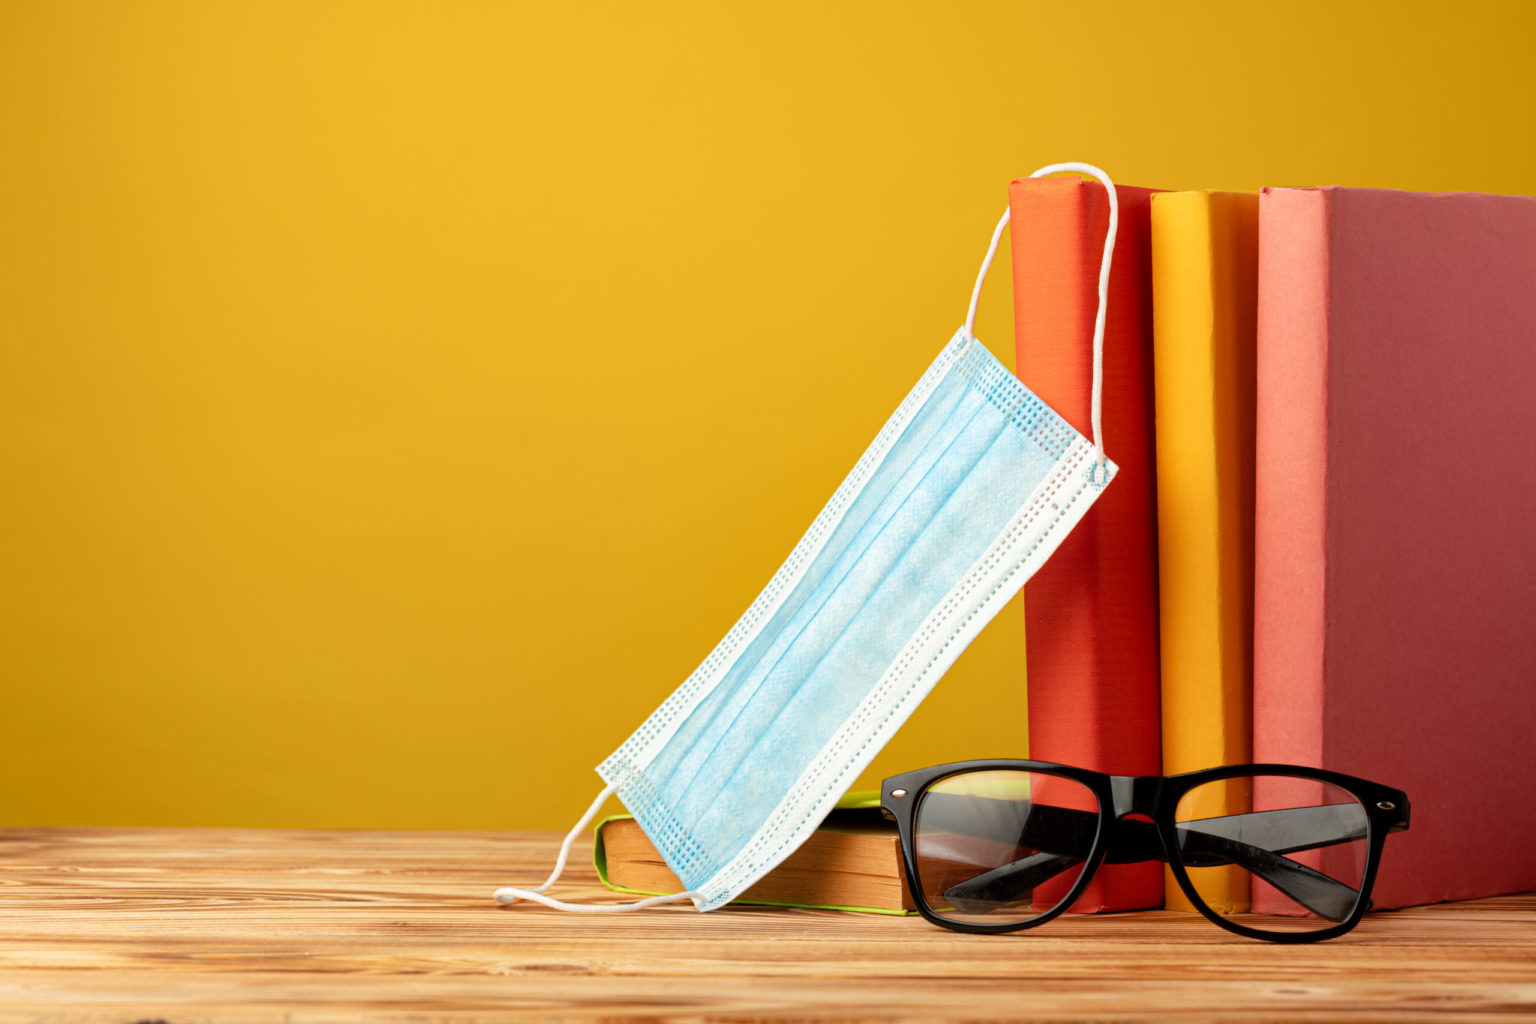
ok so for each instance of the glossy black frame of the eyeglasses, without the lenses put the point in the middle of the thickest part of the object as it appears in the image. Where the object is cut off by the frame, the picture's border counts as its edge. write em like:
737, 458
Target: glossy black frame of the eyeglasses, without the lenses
1156, 798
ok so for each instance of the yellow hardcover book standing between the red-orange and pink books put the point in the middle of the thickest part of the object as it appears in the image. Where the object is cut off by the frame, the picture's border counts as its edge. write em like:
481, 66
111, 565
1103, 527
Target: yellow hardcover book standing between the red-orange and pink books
1205, 299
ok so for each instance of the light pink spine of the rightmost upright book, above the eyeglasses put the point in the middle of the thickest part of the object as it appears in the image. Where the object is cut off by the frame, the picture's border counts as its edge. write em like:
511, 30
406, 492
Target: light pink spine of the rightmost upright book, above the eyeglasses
1291, 543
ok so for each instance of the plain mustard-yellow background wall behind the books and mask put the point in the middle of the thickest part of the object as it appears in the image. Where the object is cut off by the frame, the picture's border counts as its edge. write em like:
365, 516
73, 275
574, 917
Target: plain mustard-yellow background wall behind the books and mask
400, 400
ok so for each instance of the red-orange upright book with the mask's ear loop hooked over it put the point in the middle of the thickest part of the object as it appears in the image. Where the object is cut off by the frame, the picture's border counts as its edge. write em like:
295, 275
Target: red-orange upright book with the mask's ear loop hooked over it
1091, 612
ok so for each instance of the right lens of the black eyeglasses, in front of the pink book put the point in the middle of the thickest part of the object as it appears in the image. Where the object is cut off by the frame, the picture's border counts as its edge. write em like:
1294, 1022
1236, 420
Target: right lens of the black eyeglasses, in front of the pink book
1274, 853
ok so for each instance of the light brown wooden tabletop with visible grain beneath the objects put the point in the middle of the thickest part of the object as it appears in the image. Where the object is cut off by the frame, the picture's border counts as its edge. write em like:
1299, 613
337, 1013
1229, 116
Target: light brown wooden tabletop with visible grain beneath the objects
202, 925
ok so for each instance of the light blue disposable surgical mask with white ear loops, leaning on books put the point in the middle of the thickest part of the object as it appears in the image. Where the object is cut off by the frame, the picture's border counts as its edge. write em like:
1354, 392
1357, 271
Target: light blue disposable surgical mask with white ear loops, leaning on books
965, 492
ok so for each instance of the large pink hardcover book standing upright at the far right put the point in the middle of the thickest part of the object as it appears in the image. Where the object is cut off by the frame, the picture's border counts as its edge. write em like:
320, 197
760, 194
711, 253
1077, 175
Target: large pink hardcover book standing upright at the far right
1395, 578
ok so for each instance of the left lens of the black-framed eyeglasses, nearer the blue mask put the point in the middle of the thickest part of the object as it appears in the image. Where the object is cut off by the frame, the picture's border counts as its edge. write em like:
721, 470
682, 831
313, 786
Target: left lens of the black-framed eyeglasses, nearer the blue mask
1002, 847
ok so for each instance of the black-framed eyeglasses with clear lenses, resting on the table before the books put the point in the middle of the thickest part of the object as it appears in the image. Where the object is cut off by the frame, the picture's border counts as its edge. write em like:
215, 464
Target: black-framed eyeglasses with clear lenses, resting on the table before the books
1270, 851
